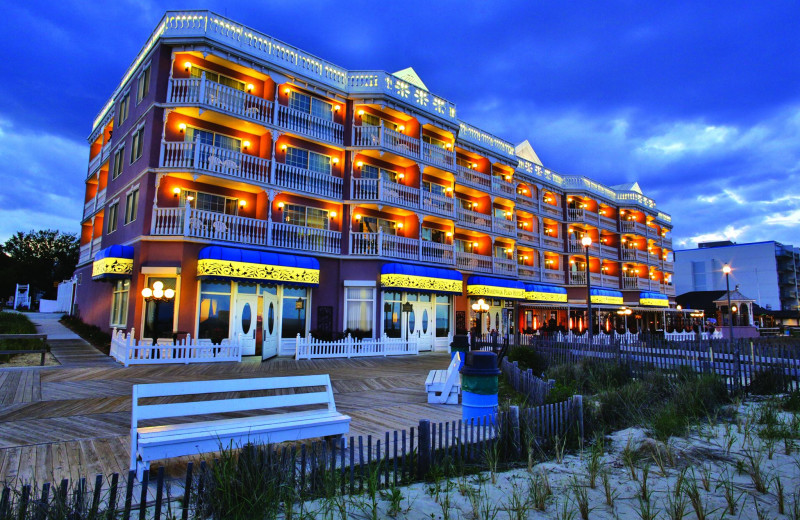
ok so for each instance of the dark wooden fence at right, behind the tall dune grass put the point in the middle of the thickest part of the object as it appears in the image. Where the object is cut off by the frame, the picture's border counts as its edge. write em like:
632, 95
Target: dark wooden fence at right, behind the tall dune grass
737, 361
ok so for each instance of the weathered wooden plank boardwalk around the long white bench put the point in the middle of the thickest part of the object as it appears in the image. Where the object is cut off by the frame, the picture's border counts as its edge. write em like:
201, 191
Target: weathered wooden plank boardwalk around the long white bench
74, 421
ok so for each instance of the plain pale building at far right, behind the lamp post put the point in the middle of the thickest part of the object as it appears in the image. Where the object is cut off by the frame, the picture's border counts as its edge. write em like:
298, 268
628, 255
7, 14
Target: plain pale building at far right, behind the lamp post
766, 271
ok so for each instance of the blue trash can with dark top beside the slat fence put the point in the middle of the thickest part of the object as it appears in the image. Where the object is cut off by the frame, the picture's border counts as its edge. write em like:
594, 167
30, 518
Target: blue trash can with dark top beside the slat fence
479, 386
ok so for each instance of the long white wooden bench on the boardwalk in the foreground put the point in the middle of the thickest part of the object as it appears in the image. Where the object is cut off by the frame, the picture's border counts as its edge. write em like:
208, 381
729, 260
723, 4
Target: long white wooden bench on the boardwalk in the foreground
162, 440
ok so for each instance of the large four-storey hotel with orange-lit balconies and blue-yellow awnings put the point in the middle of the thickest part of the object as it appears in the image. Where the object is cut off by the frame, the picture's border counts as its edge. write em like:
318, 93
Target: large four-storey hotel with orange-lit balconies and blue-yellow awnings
275, 194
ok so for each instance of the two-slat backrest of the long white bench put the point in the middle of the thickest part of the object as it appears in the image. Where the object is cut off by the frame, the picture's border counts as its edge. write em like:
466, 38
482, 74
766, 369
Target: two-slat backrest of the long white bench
204, 407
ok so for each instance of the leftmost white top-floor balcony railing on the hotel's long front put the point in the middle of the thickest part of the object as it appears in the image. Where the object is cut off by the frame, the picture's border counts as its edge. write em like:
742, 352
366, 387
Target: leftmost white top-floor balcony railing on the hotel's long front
221, 98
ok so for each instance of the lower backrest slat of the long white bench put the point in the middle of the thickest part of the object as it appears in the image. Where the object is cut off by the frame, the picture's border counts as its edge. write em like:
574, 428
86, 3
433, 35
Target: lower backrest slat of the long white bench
159, 411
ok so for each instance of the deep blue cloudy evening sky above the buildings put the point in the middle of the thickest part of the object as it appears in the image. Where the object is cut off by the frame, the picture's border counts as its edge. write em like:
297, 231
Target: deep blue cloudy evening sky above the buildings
697, 101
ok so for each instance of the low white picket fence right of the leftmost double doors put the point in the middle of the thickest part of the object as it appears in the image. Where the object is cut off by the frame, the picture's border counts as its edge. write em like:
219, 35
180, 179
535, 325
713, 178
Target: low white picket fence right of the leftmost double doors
310, 348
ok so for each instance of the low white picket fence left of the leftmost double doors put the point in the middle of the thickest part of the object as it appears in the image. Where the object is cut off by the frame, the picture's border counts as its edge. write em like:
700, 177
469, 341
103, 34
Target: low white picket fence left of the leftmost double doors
128, 351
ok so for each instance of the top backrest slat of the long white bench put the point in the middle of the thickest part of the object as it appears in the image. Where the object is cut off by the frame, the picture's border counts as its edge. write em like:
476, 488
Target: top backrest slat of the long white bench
229, 385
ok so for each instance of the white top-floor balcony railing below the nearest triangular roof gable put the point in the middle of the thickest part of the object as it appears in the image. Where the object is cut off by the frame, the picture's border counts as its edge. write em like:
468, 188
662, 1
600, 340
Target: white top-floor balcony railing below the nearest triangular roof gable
382, 137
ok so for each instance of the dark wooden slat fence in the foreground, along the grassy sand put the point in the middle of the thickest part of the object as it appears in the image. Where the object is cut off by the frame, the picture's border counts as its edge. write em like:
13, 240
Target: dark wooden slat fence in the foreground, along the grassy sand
399, 457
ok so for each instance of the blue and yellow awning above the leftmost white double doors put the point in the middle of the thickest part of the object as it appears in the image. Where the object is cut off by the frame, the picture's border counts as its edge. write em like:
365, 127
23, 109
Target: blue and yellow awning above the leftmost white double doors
231, 263
